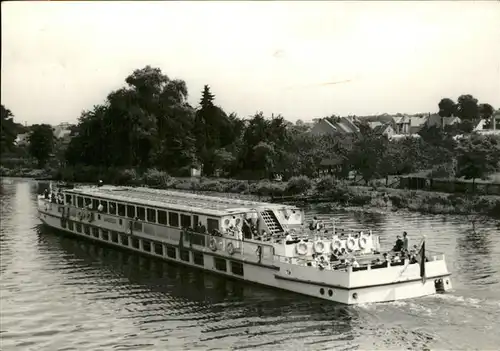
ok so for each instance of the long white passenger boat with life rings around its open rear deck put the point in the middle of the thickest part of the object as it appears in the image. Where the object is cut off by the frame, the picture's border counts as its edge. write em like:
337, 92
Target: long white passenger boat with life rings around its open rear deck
258, 242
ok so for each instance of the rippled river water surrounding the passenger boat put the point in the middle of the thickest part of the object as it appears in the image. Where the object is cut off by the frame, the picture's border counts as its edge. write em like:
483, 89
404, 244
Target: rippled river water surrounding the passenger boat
60, 293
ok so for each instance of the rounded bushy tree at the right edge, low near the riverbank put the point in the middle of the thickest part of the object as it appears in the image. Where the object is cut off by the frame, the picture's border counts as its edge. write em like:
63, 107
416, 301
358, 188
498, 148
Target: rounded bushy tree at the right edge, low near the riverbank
478, 157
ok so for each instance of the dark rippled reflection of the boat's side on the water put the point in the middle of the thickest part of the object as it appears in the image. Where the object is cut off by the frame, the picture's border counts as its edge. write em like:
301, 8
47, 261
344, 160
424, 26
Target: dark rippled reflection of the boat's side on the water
218, 299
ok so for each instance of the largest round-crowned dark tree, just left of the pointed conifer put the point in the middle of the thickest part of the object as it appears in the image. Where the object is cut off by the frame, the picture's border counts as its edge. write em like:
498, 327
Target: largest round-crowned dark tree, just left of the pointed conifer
147, 123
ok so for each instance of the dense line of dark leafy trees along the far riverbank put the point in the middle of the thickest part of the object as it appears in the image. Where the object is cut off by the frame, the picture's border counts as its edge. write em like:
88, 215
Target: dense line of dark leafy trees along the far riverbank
148, 124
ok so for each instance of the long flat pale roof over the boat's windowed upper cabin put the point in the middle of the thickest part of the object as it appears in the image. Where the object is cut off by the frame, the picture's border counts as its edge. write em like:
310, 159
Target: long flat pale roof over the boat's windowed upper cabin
189, 202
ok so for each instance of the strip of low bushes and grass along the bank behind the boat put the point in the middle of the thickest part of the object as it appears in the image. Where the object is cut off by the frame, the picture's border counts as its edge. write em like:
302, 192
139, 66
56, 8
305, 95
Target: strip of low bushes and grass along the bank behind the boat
300, 190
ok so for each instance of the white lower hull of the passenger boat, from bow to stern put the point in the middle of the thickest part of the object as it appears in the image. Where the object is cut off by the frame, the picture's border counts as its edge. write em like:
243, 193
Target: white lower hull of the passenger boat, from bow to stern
380, 285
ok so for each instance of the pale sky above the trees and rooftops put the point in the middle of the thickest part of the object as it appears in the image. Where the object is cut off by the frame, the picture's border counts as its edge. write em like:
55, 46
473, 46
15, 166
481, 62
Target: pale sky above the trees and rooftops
60, 58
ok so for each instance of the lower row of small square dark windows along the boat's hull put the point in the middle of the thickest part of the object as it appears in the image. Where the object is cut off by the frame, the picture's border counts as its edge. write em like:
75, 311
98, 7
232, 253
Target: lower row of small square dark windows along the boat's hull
219, 263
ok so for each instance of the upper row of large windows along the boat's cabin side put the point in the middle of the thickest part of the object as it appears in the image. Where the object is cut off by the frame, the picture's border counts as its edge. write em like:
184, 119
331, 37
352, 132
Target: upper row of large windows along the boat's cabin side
152, 215
